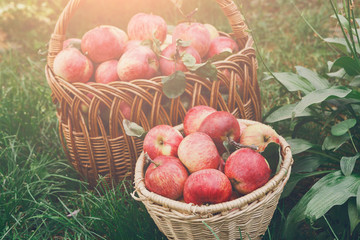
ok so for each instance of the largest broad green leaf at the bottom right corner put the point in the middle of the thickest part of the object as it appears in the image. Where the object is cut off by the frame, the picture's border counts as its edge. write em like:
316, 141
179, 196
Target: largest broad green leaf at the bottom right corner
331, 190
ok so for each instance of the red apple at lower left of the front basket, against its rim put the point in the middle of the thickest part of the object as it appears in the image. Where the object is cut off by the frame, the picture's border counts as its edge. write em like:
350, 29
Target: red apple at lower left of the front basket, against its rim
166, 176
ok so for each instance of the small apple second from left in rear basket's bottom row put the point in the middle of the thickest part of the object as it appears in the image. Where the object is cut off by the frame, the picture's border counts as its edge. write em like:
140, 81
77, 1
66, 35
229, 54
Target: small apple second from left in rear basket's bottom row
106, 72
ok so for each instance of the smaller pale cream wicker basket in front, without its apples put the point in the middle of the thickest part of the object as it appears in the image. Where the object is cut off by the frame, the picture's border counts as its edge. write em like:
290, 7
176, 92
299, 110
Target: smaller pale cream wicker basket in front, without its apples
250, 213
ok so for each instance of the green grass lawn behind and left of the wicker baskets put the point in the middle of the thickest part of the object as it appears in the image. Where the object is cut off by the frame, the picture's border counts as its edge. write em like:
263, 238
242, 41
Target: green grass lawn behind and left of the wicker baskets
38, 188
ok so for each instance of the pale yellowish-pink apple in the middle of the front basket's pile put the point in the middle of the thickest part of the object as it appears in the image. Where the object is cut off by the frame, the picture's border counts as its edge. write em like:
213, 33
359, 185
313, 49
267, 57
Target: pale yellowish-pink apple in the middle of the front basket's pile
197, 151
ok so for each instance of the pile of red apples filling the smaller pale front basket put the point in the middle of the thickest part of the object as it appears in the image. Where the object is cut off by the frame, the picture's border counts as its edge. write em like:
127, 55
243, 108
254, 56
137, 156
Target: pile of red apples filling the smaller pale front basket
196, 166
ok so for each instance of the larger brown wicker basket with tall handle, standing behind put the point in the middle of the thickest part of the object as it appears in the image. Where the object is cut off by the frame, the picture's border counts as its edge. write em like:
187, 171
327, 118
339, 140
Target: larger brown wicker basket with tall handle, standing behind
97, 146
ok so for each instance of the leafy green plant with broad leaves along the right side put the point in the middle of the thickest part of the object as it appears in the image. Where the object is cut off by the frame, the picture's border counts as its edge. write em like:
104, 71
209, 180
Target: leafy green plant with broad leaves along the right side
331, 111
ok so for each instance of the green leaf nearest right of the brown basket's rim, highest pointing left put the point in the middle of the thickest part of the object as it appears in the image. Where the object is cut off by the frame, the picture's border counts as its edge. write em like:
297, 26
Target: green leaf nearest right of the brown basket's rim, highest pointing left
293, 82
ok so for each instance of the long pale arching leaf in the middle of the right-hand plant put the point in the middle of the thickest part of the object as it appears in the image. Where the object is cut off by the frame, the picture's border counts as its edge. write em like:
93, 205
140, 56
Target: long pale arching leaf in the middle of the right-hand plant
319, 96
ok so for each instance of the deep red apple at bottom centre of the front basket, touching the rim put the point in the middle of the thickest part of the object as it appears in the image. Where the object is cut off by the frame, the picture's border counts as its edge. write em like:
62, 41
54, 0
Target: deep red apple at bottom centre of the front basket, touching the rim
207, 186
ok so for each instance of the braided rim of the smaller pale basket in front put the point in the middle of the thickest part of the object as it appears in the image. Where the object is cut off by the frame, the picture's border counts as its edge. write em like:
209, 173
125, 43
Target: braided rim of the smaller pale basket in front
191, 209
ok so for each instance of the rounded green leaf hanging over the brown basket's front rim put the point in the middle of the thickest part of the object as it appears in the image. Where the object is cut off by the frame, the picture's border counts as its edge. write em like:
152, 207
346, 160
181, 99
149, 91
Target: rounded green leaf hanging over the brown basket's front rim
174, 85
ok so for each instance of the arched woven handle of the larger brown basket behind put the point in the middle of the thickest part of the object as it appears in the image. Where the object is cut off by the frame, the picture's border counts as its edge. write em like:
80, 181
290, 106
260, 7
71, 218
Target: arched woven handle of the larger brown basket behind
229, 8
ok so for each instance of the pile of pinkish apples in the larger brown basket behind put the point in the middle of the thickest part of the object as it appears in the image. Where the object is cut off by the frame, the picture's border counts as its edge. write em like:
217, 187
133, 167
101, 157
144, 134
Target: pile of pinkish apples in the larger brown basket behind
106, 53
